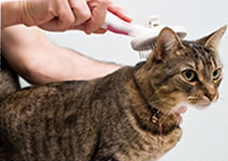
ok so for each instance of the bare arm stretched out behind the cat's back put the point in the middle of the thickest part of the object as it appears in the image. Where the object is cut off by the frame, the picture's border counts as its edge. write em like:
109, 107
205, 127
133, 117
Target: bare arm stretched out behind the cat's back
39, 61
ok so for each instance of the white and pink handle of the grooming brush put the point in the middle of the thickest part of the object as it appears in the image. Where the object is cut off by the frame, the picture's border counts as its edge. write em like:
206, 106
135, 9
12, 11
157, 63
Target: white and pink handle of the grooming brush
119, 26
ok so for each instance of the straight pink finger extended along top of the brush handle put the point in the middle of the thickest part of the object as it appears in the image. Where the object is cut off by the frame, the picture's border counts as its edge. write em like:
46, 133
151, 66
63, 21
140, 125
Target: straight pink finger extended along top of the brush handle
119, 11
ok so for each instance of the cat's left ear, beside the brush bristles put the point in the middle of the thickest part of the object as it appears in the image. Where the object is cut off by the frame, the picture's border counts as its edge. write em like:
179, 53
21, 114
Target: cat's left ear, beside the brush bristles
167, 42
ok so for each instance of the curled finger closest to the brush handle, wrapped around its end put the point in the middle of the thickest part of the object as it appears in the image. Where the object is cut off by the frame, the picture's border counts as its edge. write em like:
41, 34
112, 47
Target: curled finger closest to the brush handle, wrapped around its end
99, 10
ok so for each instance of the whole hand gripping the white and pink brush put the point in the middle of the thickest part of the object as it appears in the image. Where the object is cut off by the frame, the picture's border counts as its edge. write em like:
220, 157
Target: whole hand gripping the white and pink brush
61, 15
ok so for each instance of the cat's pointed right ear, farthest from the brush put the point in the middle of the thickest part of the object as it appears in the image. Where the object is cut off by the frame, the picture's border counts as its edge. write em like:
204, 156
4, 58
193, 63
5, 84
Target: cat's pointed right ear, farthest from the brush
213, 39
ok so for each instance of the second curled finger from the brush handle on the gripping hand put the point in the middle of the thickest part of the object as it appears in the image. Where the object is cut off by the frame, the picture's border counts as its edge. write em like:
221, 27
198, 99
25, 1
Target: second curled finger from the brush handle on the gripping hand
81, 11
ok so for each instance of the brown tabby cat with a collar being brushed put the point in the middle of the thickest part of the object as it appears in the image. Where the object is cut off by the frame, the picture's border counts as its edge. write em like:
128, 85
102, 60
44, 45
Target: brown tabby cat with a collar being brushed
129, 115
